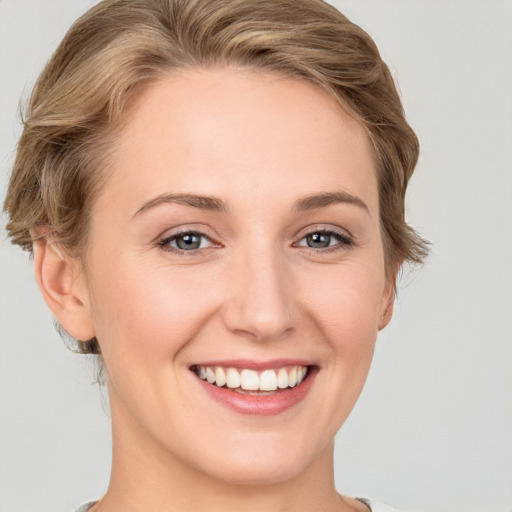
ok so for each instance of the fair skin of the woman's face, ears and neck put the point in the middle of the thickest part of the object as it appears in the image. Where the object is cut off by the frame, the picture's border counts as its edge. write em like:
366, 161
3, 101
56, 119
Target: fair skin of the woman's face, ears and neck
256, 290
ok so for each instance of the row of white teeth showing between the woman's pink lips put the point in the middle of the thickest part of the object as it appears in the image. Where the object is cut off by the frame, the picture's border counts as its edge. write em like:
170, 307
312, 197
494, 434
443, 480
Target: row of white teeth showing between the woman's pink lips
251, 380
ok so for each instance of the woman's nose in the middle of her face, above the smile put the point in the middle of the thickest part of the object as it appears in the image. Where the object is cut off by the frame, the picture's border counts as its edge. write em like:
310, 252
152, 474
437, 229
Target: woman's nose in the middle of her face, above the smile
261, 304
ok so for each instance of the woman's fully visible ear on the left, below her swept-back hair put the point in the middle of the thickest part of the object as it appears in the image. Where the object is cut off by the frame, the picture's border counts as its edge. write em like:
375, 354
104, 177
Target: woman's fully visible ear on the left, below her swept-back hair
62, 284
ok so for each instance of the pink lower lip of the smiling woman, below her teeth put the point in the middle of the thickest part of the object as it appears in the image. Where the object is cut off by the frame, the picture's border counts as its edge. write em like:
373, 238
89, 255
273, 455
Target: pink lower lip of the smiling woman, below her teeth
262, 405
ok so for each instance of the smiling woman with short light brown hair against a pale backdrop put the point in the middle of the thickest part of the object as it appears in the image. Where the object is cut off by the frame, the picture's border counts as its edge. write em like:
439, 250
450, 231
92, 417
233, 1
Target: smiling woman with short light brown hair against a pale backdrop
213, 192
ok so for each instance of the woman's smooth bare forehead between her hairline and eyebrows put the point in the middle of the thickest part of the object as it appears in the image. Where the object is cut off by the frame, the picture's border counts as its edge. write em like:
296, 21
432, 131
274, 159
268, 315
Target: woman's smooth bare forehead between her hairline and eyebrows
240, 133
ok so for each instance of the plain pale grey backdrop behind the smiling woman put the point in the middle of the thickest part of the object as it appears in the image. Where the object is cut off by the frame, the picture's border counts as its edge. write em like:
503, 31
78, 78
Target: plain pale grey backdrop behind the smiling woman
432, 431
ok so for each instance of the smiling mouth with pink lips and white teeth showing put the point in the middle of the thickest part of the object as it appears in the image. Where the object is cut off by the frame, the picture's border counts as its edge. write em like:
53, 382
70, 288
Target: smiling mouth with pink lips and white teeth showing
271, 389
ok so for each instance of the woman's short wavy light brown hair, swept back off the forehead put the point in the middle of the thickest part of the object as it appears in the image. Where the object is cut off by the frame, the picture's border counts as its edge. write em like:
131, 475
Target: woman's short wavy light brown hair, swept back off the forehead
119, 47
